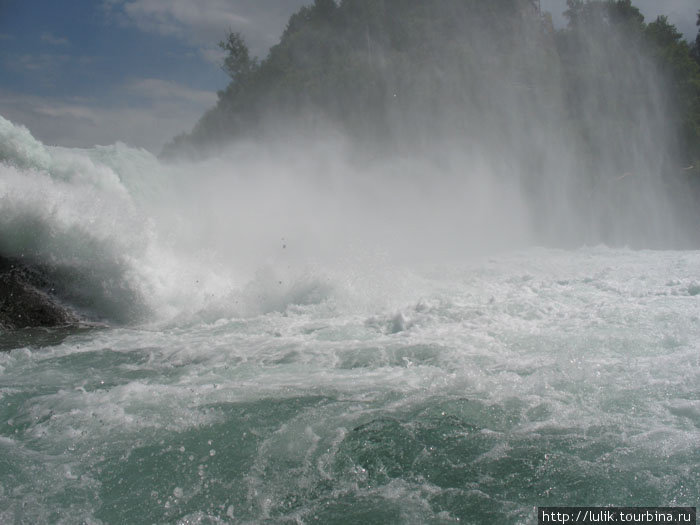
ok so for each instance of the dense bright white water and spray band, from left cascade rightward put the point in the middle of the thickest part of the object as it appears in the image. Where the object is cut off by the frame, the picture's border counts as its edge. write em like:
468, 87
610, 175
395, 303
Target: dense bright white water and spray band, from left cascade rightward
133, 240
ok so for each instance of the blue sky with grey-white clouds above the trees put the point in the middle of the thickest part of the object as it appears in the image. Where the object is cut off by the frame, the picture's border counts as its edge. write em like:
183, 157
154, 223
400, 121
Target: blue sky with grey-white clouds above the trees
85, 72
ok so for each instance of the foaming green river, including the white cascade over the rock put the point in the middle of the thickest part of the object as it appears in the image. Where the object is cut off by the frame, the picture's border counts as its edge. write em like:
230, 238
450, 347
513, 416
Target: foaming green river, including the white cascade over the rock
370, 392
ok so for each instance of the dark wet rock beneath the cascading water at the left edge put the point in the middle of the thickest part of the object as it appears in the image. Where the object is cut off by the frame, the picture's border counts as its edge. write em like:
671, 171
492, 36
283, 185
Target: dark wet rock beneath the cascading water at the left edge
26, 298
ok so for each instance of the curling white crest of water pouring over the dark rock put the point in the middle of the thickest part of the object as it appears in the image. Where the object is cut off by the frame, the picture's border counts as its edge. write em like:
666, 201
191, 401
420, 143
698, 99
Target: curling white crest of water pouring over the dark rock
71, 215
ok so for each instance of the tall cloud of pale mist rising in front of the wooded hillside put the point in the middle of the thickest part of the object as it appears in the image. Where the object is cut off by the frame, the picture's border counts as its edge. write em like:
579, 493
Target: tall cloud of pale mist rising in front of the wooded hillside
481, 132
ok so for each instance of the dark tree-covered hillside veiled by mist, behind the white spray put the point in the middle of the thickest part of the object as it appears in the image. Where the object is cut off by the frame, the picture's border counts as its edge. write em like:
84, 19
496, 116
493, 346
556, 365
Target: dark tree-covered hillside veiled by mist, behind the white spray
570, 116
